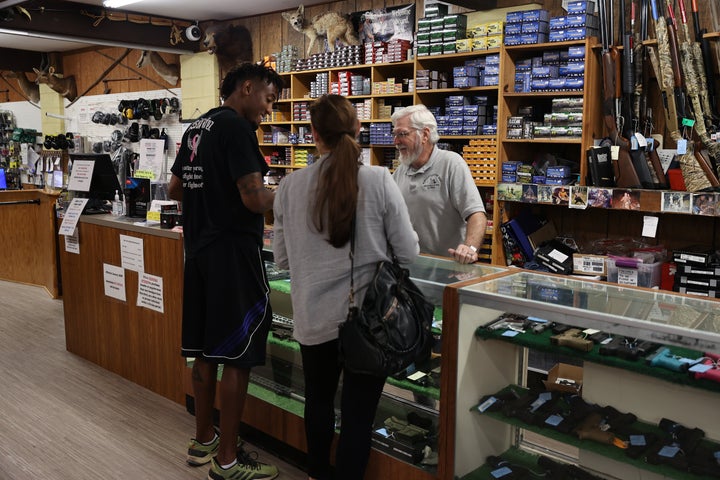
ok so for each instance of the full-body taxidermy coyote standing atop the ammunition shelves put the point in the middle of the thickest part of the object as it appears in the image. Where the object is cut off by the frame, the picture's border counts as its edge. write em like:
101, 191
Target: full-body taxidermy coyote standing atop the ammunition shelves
329, 25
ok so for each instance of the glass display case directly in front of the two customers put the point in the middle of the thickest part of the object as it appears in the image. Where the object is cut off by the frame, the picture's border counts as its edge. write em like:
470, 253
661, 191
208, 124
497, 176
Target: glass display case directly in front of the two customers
407, 421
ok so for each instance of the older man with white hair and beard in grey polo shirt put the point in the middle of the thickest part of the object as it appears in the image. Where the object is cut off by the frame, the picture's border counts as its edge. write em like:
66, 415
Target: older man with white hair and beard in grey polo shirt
445, 206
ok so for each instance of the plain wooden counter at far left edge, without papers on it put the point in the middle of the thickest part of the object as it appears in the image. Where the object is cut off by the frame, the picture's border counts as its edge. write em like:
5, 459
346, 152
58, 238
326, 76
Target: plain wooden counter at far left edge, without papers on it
28, 238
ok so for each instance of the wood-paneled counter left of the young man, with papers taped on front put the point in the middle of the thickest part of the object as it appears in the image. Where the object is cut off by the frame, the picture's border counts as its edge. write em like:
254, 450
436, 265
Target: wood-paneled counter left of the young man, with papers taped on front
137, 343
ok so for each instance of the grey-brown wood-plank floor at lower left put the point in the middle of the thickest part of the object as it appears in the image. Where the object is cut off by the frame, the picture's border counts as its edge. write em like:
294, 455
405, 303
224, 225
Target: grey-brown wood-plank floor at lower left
62, 417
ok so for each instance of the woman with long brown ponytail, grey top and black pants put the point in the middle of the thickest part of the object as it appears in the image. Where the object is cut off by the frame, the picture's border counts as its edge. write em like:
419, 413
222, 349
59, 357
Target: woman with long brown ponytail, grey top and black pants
317, 210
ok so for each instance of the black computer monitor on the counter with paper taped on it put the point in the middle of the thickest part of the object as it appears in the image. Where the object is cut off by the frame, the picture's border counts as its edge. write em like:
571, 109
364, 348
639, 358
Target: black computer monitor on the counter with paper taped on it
103, 183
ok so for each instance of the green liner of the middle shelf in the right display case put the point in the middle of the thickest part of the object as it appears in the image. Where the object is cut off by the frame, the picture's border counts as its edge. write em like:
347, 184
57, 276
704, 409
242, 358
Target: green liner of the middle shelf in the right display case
608, 451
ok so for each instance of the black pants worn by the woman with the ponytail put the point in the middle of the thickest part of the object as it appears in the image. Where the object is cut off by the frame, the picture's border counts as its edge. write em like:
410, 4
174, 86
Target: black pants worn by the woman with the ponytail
359, 400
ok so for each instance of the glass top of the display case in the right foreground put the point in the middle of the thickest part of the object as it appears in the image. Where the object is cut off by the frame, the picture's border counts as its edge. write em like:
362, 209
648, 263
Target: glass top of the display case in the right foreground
662, 317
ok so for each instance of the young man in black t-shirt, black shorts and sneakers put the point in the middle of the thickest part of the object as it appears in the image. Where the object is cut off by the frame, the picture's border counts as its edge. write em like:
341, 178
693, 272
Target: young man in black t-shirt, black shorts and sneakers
218, 176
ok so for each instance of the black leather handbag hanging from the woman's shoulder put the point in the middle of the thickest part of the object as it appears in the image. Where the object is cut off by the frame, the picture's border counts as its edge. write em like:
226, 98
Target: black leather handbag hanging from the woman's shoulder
391, 330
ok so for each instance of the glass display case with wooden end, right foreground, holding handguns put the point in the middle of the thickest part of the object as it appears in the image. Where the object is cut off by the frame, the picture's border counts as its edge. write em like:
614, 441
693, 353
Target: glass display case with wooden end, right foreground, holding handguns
498, 322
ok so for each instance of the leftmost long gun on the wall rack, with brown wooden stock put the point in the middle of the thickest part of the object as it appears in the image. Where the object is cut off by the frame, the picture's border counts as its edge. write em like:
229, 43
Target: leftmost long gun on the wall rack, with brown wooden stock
625, 174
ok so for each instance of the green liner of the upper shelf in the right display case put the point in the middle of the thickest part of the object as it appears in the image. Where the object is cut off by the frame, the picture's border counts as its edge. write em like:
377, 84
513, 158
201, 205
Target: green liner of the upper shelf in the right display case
542, 343
